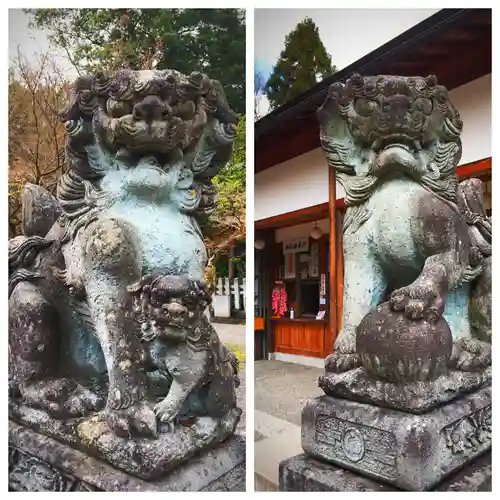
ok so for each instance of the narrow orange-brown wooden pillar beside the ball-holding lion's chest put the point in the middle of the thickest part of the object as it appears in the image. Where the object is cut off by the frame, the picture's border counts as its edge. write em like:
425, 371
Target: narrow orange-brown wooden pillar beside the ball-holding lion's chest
332, 285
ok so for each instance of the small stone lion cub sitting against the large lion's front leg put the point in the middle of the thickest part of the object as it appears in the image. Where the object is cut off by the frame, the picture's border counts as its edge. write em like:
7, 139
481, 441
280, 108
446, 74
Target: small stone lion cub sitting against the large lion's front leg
185, 348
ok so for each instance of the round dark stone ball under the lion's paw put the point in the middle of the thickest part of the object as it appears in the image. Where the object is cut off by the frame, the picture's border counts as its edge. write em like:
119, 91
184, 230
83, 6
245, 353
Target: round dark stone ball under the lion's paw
395, 348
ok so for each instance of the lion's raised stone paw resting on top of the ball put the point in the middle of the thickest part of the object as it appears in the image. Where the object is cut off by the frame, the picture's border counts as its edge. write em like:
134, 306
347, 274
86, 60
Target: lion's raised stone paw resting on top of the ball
418, 302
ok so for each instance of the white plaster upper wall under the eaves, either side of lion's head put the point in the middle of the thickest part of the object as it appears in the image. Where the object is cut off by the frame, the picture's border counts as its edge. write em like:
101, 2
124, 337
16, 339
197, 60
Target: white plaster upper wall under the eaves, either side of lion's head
303, 181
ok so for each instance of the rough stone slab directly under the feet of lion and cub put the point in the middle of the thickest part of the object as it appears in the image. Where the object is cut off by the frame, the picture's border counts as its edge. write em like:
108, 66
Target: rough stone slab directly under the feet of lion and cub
145, 458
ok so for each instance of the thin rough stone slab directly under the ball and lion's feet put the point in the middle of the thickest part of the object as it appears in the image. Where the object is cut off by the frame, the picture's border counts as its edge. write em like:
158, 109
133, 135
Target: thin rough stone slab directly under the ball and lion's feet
414, 397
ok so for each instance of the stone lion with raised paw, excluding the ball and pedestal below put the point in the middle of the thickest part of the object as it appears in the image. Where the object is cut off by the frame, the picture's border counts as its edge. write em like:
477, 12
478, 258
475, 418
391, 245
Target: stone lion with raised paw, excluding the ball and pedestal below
412, 234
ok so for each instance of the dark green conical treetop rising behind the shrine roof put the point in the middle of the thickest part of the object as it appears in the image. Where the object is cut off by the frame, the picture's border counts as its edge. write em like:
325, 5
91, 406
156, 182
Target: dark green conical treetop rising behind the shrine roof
302, 64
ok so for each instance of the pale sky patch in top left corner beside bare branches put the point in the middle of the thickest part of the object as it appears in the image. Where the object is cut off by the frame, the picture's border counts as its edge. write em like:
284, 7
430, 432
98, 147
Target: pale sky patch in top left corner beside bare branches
33, 43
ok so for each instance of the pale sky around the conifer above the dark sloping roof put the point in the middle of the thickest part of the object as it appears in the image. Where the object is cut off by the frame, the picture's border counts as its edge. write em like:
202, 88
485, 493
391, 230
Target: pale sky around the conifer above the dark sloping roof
347, 34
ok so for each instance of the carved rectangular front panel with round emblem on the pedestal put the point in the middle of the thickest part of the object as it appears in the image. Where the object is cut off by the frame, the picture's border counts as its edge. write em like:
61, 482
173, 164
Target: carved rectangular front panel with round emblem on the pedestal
369, 449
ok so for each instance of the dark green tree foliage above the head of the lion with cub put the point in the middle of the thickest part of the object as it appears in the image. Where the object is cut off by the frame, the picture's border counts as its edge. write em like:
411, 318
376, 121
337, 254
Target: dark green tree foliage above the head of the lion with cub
207, 40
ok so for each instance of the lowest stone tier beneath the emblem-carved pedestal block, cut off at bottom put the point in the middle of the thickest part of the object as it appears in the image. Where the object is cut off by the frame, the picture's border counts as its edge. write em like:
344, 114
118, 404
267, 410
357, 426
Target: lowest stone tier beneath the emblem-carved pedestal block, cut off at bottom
303, 473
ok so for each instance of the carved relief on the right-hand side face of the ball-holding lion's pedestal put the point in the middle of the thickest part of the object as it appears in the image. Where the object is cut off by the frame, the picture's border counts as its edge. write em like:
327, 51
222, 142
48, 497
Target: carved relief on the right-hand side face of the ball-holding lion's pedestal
469, 433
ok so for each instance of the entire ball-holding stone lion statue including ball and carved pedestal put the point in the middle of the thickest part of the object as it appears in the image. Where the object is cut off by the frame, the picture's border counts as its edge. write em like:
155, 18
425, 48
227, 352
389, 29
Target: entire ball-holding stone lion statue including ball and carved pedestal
408, 386
